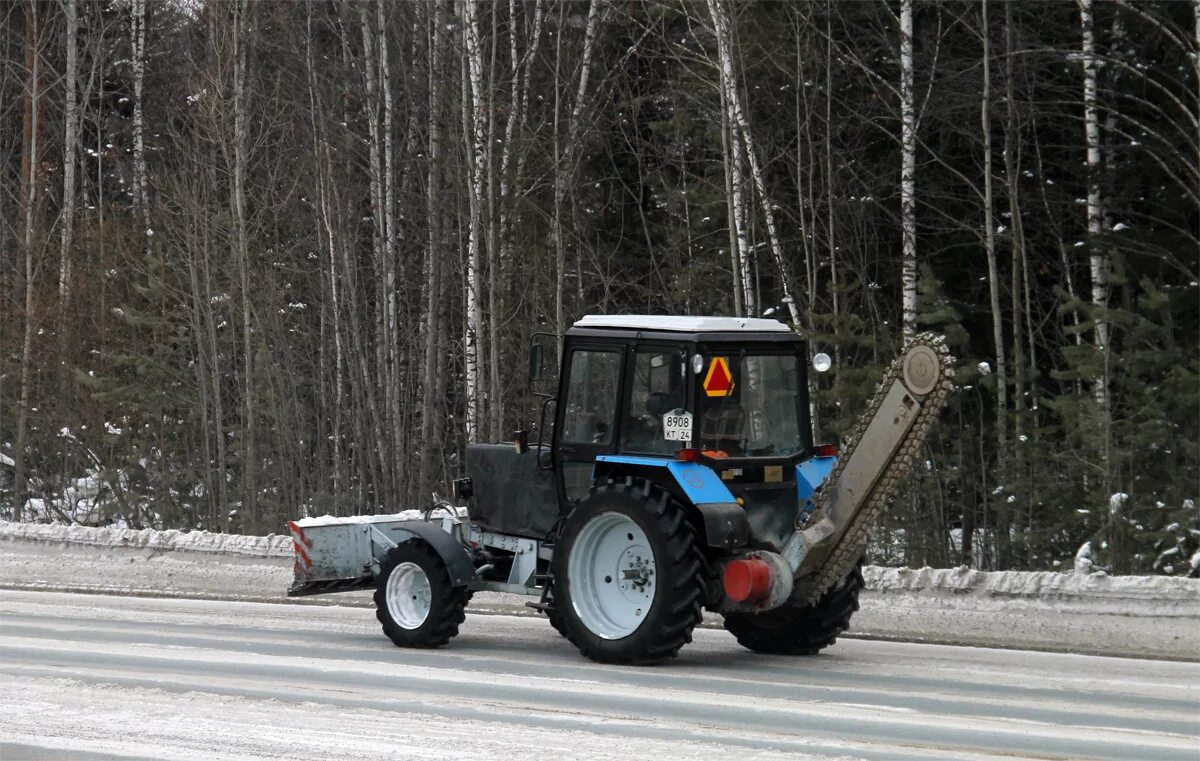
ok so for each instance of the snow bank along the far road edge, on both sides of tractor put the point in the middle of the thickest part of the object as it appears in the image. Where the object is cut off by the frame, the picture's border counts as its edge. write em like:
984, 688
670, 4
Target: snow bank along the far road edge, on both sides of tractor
1136, 616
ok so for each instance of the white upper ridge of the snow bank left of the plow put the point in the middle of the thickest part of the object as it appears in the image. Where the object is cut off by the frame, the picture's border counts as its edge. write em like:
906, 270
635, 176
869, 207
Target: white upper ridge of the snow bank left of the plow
190, 542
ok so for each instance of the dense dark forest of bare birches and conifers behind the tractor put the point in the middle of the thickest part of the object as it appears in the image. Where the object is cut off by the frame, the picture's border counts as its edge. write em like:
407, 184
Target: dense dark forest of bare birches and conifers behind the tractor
265, 260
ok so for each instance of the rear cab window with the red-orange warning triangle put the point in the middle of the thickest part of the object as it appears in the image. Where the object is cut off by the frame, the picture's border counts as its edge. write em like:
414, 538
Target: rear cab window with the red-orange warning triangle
751, 406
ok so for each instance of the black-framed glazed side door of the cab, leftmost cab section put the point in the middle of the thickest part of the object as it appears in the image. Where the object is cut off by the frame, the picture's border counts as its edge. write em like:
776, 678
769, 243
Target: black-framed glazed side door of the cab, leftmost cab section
587, 415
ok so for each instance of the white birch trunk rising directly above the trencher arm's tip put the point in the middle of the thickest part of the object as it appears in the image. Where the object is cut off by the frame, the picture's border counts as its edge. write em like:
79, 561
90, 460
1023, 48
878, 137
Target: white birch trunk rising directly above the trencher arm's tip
908, 176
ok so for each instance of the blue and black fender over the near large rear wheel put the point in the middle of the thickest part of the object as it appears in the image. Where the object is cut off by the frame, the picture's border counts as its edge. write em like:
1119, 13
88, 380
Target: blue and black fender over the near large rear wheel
725, 522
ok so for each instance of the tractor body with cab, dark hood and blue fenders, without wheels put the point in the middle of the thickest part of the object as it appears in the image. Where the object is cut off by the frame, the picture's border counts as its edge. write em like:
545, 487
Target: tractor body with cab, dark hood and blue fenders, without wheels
712, 411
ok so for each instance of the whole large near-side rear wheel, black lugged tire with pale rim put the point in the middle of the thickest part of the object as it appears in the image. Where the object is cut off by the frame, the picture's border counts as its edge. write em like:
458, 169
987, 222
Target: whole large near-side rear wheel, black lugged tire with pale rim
628, 576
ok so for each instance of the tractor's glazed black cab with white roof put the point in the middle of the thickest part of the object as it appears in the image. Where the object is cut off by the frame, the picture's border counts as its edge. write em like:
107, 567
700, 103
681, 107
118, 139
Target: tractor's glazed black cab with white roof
727, 392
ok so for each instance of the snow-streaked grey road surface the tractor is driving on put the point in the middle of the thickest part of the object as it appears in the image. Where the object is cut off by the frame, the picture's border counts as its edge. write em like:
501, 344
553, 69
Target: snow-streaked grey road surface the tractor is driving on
100, 678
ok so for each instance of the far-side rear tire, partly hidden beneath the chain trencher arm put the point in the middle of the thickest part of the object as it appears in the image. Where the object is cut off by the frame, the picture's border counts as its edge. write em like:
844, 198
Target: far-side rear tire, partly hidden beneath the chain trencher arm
796, 628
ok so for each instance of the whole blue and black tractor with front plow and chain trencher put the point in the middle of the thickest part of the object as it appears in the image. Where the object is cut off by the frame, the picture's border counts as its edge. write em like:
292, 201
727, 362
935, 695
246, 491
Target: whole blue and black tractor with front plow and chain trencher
680, 475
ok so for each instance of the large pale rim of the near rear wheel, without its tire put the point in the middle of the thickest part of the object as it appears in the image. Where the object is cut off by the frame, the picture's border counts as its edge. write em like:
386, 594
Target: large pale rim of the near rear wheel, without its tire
611, 577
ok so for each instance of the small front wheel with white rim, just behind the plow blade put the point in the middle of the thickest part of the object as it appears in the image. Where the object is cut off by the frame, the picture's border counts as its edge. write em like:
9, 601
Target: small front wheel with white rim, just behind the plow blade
416, 602
